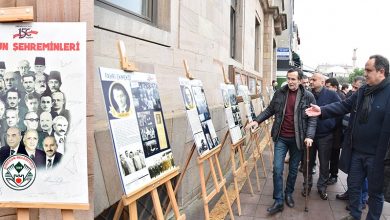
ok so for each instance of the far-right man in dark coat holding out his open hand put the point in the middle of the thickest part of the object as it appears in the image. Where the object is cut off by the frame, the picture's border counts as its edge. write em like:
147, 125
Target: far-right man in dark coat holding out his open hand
368, 135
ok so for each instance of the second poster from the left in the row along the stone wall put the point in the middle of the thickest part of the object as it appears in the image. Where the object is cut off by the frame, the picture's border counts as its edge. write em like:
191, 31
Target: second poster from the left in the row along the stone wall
198, 114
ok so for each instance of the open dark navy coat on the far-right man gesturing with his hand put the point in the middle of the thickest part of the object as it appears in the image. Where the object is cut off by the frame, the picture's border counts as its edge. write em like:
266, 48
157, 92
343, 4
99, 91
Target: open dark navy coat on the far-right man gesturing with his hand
351, 105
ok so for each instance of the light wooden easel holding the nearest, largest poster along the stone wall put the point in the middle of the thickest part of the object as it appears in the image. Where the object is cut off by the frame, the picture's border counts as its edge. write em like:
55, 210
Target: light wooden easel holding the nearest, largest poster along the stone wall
165, 179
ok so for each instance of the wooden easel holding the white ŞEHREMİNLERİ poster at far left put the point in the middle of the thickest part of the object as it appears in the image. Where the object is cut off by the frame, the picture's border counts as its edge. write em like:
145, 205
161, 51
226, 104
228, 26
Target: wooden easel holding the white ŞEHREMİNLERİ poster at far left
26, 14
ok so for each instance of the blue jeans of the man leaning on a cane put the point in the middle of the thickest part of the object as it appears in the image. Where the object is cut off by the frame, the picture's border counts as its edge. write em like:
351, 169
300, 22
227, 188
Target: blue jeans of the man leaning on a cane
283, 145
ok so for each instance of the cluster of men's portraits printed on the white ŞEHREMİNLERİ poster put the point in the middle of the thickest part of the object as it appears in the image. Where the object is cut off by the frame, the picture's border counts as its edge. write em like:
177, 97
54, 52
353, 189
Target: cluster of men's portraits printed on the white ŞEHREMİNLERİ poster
34, 119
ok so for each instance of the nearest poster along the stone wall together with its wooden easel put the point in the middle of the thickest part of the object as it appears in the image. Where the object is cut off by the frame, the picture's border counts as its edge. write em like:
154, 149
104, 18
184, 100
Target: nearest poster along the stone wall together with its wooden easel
144, 156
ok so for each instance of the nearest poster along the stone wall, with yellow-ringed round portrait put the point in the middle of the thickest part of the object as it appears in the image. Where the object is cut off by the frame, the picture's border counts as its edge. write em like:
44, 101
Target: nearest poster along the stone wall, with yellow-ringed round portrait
137, 126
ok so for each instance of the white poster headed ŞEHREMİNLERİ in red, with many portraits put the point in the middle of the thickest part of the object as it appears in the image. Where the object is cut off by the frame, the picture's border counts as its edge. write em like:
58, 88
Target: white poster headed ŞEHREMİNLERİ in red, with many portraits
43, 154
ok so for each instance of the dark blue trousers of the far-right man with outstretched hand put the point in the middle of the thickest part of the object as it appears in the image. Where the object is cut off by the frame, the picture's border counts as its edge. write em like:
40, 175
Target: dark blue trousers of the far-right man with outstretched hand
362, 167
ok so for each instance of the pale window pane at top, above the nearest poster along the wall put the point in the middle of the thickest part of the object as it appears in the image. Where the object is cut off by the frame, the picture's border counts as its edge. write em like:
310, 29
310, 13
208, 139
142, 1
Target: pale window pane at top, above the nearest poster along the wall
140, 8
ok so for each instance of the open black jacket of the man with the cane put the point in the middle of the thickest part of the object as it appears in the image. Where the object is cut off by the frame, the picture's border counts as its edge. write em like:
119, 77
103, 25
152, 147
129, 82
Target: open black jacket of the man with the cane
305, 127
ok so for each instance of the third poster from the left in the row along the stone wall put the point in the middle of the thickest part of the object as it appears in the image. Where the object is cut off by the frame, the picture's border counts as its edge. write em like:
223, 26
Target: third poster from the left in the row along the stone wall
232, 112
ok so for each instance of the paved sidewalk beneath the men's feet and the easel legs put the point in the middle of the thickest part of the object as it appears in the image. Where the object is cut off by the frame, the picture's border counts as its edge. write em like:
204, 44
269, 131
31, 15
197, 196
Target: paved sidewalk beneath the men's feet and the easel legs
255, 207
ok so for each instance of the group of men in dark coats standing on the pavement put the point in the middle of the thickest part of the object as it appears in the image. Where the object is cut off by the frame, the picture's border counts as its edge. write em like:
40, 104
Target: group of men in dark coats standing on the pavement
314, 116
